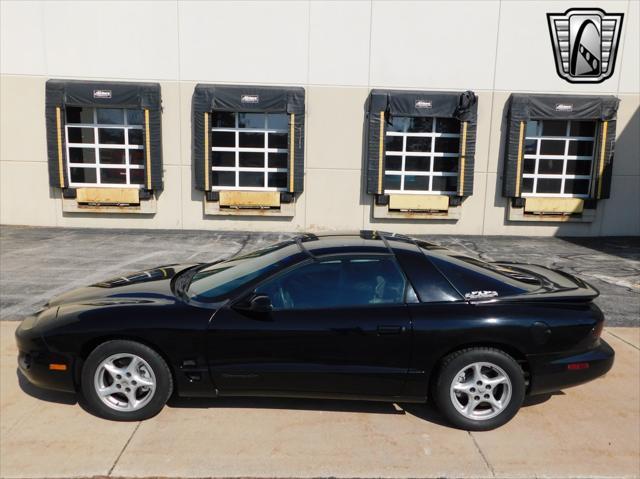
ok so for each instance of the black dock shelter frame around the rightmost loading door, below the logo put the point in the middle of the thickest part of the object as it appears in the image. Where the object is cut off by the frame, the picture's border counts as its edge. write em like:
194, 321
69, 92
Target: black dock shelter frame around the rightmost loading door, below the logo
525, 107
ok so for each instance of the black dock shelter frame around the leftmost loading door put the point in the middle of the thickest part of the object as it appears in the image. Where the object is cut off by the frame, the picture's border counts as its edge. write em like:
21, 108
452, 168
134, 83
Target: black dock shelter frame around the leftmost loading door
98, 94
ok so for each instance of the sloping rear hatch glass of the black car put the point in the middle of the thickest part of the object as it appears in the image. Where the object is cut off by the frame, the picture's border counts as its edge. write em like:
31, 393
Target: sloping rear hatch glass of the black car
469, 275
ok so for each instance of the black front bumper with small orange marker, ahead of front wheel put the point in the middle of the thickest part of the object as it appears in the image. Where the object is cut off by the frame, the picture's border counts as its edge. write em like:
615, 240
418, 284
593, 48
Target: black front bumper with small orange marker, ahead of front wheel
35, 360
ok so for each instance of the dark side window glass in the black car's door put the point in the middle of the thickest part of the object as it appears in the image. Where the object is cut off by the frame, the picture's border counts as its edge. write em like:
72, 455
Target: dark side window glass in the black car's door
332, 283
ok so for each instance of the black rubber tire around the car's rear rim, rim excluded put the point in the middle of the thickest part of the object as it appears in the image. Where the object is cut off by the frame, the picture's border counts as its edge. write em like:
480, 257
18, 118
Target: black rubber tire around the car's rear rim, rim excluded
457, 361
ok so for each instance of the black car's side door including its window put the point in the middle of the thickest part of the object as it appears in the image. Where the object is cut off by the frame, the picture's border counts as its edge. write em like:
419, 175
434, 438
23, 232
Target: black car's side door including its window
339, 326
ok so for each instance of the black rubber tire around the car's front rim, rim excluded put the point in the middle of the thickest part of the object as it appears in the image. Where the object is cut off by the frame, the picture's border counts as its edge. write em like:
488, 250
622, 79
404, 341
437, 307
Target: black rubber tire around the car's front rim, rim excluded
163, 380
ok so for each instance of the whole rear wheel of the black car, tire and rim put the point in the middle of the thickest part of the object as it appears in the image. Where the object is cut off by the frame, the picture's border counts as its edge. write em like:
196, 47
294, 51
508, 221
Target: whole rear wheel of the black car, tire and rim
479, 388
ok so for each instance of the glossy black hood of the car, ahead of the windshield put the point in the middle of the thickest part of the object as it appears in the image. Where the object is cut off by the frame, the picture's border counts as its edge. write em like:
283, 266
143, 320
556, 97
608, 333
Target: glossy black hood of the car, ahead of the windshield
140, 285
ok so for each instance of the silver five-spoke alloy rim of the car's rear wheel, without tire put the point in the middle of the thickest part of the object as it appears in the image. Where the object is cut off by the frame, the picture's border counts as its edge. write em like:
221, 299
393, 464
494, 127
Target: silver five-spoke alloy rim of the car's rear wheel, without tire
480, 391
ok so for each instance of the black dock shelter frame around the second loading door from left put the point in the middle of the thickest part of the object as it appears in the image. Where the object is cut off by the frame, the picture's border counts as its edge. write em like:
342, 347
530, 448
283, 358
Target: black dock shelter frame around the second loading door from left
247, 98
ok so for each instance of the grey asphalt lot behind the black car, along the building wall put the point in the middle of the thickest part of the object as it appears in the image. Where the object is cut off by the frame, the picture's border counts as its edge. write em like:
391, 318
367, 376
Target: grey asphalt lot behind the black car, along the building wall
37, 263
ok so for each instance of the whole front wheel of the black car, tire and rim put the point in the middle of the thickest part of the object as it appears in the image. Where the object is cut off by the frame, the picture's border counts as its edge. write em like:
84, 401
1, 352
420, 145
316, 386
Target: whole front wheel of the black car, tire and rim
125, 381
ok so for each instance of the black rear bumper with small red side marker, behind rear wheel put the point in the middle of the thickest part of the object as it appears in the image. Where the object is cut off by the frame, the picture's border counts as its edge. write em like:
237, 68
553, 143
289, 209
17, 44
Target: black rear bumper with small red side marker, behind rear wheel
550, 372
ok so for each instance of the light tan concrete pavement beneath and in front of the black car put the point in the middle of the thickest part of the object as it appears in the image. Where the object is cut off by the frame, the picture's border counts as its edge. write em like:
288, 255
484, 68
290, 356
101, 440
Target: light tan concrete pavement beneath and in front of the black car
589, 431
